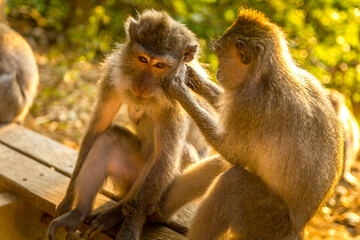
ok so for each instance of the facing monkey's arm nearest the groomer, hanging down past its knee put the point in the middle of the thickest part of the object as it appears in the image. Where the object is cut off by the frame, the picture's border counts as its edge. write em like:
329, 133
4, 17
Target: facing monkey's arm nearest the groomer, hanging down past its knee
170, 135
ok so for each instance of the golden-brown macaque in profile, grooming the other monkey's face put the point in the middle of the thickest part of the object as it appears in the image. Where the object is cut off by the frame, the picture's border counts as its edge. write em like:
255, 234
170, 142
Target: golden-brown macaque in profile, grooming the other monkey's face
277, 129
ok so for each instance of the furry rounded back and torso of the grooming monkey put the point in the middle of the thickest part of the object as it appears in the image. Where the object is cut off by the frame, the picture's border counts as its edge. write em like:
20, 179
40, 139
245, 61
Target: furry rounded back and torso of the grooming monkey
297, 148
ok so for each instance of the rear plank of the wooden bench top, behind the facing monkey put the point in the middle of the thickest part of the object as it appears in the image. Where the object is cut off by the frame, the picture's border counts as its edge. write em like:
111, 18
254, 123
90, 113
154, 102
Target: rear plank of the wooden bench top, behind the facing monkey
63, 159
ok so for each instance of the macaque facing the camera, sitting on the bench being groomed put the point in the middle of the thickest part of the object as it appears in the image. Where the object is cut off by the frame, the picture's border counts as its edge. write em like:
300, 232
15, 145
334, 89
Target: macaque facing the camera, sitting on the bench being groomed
143, 164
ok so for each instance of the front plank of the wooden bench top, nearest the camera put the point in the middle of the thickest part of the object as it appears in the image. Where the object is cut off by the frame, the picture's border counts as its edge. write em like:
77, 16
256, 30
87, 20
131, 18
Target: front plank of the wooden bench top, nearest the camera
44, 188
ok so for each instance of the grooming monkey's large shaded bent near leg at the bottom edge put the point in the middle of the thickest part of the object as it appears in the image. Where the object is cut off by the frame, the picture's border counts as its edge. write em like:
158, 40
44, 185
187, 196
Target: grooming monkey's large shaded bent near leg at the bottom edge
241, 205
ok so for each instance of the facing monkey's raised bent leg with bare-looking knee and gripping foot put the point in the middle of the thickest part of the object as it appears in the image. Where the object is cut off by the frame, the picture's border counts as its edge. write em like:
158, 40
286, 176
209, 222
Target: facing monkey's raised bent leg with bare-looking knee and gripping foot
115, 152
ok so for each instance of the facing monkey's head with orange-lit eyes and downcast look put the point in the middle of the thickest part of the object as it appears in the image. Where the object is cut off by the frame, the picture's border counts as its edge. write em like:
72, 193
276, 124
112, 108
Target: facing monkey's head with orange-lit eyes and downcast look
157, 48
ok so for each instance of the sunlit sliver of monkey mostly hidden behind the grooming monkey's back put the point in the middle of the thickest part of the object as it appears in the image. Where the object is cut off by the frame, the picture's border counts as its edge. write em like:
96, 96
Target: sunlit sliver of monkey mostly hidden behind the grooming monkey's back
351, 132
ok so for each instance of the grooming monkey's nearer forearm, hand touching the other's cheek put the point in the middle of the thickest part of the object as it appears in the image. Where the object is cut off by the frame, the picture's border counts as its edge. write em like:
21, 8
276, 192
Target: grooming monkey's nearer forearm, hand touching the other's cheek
208, 125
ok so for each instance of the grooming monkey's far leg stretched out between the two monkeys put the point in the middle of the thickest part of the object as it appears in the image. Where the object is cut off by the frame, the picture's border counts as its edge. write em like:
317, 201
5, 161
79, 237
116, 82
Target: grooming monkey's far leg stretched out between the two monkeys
192, 184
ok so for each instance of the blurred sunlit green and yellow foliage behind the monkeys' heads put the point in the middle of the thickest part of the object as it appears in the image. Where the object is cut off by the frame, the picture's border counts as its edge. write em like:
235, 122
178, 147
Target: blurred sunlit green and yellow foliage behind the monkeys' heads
324, 35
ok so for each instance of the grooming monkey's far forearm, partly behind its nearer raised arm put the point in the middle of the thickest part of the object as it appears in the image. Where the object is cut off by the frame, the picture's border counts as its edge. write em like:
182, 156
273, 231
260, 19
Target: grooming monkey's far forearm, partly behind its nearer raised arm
203, 86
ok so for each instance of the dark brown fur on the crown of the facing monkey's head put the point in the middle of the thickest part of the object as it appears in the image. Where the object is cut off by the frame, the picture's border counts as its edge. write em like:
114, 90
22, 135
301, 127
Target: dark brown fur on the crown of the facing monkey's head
158, 33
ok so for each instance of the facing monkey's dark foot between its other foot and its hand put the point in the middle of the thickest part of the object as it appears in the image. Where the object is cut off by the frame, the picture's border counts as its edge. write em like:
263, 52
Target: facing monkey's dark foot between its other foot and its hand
104, 220
